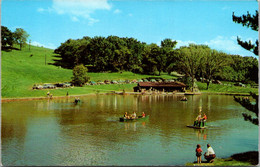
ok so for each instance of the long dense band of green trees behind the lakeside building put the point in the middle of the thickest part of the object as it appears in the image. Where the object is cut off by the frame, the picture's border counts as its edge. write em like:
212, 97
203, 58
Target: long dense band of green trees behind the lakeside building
113, 54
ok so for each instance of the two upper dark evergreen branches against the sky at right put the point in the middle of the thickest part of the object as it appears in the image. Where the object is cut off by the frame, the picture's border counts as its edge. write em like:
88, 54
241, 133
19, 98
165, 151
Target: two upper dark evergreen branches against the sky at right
248, 21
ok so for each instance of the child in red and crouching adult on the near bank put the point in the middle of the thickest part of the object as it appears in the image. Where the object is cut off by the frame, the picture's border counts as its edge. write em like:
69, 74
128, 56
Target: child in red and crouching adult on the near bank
209, 155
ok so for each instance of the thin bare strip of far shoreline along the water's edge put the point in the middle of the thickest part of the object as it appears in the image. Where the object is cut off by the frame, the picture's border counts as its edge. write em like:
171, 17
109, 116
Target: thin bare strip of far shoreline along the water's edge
118, 93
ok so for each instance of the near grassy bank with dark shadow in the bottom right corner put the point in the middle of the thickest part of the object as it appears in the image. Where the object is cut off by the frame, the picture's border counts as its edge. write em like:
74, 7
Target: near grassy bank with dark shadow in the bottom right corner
240, 159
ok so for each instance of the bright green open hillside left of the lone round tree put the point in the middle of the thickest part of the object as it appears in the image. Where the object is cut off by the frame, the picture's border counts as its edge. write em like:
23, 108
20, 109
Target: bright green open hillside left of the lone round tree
20, 70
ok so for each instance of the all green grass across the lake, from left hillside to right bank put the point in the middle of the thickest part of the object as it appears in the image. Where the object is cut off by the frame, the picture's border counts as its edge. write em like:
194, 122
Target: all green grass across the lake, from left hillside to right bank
22, 69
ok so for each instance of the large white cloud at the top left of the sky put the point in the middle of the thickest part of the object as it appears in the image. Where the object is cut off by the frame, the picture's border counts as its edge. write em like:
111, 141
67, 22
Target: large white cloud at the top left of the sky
77, 9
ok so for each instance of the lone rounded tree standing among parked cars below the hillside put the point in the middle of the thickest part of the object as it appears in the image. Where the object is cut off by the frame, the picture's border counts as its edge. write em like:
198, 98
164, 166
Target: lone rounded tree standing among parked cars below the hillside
80, 75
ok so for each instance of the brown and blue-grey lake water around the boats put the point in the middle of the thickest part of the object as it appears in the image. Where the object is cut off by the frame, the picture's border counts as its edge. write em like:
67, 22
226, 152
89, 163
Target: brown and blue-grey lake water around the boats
58, 132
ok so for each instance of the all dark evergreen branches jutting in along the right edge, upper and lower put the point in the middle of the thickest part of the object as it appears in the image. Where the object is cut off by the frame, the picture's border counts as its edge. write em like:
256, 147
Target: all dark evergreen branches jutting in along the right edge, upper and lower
252, 22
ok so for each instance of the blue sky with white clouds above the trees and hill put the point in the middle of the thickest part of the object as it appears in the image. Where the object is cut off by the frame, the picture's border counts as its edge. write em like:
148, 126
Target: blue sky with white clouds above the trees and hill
51, 22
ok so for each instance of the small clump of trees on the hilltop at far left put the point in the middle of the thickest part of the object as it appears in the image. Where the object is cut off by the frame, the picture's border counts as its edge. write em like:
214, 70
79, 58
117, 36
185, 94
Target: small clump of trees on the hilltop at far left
9, 38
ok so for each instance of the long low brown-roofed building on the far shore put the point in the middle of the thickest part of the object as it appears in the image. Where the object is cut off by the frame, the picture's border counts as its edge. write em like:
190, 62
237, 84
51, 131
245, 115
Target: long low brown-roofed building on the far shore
163, 86
